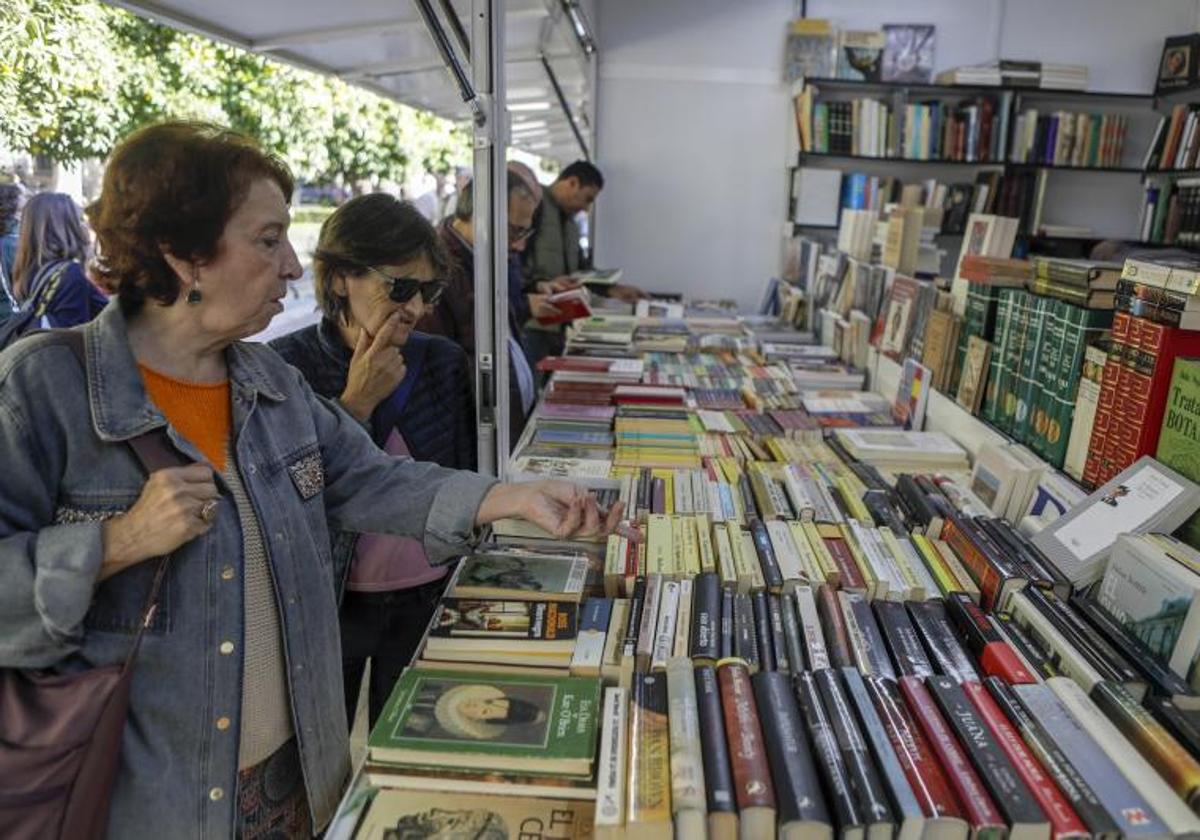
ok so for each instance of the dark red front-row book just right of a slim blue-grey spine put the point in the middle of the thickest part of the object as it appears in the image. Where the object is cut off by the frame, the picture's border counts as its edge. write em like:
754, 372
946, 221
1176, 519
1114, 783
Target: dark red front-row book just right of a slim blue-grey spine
914, 751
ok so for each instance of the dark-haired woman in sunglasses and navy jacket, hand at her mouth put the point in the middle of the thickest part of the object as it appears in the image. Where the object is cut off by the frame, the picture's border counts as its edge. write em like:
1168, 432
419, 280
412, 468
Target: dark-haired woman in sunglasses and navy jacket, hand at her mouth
377, 268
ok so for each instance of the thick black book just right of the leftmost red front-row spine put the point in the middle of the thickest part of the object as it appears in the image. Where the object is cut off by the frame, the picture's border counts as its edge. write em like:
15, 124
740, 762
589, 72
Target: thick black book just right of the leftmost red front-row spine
799, 797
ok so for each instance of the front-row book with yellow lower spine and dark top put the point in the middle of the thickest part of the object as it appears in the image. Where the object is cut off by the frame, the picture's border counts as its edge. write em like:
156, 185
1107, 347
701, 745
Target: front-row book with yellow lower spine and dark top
650, 753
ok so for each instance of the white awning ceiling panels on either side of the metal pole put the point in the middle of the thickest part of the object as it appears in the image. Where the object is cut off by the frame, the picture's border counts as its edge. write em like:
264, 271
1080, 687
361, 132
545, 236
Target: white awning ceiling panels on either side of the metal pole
385, 46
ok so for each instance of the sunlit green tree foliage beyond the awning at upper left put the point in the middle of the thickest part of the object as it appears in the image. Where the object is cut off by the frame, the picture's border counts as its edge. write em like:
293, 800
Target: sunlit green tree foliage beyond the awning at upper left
77, 75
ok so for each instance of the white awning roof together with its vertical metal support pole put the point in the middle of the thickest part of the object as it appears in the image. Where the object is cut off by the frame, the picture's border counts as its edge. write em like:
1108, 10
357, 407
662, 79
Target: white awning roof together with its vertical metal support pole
451, 58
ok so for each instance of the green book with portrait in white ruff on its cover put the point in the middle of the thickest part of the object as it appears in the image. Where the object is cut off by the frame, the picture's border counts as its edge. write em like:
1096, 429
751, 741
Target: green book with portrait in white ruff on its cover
481, 721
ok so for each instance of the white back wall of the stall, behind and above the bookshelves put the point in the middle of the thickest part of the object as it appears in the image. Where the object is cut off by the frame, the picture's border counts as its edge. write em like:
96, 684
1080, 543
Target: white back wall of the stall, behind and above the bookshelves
694, 124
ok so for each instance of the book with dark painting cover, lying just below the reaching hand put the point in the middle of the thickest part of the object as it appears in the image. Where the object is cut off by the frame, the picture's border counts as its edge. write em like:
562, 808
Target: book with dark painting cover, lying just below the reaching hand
526, 577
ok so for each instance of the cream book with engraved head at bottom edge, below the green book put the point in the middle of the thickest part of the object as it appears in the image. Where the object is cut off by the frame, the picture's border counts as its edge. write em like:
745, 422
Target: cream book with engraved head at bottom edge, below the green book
416, 814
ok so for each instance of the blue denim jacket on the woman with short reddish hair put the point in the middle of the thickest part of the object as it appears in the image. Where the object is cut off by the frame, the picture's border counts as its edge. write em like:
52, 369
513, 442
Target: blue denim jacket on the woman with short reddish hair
307, 465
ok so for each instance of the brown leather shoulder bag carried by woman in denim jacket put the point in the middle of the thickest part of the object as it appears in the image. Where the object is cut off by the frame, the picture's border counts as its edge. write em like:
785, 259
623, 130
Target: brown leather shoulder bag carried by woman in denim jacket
61, 735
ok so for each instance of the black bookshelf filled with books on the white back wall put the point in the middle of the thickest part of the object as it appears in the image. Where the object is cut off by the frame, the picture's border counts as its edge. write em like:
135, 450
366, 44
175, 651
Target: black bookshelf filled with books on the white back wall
1106, 200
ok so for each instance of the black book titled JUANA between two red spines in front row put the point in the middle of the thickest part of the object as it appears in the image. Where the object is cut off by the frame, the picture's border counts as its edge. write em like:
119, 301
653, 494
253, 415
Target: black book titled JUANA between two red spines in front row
1025, 818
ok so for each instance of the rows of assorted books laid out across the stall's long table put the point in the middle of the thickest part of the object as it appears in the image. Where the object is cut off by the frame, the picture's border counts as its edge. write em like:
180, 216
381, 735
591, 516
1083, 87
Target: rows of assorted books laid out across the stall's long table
841, 632
